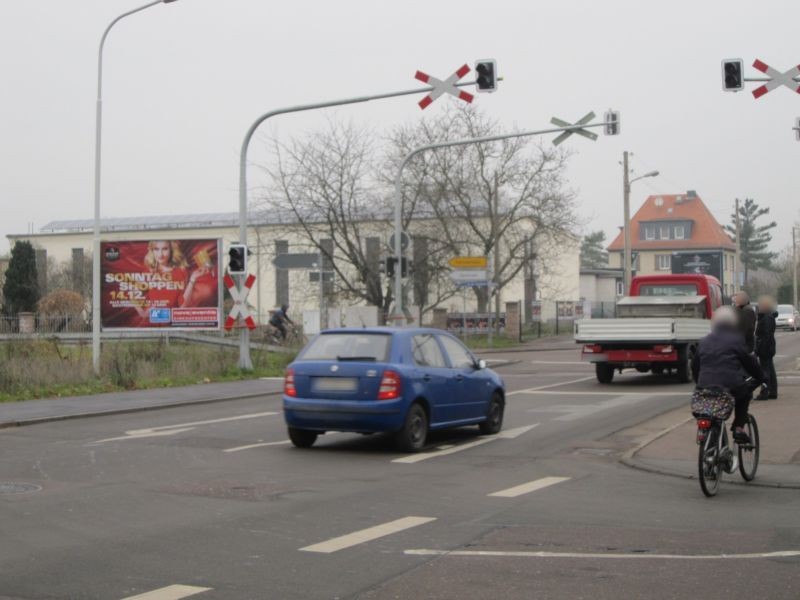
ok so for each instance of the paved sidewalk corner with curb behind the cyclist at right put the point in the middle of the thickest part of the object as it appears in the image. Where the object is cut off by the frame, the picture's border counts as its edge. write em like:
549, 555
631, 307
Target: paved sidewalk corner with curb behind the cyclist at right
675, 451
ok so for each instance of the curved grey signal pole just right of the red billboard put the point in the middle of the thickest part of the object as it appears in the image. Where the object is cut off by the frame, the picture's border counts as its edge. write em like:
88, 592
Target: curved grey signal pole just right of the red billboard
244, 339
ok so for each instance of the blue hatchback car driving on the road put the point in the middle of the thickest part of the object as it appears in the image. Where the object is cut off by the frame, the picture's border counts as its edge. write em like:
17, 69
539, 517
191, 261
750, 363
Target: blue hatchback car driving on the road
404, 381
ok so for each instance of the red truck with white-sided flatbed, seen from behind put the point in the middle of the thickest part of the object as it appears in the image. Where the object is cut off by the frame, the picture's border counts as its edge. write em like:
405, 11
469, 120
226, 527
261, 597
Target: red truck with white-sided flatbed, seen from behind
656, 328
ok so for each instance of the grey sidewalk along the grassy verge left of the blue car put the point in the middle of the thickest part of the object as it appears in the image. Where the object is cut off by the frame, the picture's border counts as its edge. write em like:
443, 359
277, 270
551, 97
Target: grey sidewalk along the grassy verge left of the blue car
30, 412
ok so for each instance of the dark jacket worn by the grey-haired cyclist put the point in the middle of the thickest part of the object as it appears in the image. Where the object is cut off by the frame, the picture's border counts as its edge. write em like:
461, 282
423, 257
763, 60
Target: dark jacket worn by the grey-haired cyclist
722, 359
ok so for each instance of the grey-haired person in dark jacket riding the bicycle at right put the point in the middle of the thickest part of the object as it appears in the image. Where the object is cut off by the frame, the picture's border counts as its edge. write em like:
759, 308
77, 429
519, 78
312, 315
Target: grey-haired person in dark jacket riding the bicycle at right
722, 360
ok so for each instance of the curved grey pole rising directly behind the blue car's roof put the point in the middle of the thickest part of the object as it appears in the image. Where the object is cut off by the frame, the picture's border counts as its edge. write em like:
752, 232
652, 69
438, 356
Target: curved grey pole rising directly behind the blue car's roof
398, 317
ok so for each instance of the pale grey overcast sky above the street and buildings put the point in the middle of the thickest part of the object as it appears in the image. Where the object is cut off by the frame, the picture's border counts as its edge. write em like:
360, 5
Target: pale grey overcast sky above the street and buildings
183, 82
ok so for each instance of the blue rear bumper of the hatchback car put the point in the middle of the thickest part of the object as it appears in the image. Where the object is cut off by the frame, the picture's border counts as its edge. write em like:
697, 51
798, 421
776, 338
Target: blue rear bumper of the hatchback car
344, 415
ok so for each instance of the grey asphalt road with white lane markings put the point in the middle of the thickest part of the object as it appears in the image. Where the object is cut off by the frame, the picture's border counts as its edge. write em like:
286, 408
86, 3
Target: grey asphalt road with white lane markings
211, 502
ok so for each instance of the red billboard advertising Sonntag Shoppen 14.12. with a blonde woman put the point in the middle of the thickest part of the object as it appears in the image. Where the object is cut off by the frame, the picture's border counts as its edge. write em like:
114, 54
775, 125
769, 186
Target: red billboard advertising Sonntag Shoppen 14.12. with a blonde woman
157, 284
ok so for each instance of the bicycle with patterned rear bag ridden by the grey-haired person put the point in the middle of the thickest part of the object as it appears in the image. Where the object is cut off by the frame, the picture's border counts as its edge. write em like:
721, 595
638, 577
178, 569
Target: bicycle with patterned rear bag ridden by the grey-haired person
715, 455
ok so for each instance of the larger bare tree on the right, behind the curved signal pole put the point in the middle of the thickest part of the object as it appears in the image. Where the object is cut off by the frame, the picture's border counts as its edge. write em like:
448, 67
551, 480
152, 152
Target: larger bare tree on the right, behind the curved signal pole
506, 199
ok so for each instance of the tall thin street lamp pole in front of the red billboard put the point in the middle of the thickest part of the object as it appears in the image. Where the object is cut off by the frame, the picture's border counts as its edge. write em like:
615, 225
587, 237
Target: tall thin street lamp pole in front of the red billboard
97, 145
